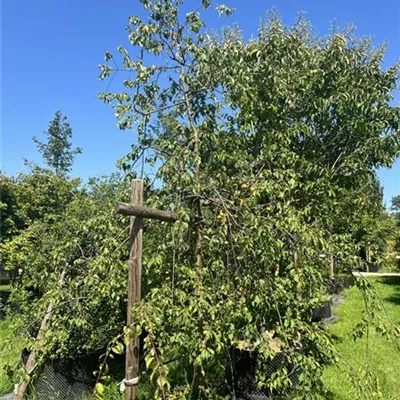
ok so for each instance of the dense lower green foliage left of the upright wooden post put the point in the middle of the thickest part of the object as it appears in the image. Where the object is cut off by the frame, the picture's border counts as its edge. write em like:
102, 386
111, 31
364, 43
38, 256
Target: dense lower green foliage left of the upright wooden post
87, 244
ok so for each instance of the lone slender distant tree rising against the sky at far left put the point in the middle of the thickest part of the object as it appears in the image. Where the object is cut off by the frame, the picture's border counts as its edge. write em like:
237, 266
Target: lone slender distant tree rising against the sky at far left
57, 152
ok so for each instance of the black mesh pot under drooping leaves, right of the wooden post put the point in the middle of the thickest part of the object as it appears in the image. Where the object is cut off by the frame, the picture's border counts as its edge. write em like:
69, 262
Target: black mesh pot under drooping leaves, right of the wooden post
242, 370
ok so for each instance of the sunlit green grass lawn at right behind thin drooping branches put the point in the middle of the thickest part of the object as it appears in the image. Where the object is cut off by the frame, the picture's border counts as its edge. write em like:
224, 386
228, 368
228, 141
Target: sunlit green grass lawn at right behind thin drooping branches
383, 355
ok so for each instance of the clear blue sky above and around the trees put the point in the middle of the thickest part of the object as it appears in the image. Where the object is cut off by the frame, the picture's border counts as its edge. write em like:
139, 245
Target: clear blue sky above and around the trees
51, 49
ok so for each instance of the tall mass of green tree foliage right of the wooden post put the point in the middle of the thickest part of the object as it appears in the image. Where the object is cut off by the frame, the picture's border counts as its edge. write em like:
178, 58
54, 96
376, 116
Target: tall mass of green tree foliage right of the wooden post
261, 147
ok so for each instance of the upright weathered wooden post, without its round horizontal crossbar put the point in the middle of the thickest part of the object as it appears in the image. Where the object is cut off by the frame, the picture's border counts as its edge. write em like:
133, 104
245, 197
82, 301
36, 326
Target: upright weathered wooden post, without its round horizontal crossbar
134, 289
